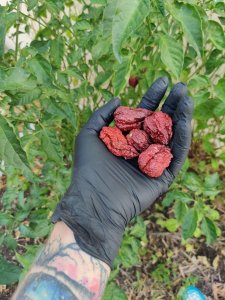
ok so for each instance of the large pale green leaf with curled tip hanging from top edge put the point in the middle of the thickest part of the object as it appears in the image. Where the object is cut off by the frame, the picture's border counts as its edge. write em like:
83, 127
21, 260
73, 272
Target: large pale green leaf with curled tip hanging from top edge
129, 15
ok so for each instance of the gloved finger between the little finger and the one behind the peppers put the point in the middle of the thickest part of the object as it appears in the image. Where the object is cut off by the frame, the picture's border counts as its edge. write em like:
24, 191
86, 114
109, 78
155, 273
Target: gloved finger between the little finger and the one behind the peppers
178, 91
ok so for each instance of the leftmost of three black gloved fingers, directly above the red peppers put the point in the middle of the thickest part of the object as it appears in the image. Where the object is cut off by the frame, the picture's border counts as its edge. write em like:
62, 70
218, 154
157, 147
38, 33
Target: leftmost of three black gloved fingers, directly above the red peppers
154, 94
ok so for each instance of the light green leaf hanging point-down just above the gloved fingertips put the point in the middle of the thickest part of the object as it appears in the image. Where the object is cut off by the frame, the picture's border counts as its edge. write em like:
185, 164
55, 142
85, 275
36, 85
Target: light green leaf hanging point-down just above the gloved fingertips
171, 54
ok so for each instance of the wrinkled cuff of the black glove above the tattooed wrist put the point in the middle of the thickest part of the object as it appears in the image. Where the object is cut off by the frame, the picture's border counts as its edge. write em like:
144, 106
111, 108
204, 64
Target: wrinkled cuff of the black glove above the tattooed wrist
92, 236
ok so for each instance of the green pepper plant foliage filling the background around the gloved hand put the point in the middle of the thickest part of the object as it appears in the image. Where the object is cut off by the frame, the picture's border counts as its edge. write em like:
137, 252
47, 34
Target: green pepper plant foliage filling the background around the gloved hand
81, 54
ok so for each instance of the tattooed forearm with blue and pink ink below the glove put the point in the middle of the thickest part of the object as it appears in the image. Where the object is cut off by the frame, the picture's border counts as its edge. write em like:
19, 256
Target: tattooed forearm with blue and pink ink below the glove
63, 271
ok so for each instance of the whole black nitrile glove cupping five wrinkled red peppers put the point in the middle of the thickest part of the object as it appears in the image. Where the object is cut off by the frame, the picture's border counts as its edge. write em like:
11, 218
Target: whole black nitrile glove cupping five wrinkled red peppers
106, 192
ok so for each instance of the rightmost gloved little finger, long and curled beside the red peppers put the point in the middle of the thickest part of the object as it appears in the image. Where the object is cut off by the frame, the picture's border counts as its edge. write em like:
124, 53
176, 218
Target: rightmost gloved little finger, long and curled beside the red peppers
182, 134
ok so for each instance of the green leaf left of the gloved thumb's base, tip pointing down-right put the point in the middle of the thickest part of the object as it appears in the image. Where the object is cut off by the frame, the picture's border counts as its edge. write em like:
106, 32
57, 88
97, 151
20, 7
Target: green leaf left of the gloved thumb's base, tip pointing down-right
51, 145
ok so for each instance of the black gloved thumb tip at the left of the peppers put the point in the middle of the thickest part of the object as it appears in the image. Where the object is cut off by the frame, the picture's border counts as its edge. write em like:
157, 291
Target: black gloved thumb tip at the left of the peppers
103, 116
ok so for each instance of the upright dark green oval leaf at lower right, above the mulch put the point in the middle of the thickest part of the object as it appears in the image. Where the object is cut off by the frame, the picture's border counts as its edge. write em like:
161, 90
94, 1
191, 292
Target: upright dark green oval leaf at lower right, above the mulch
189, 223
